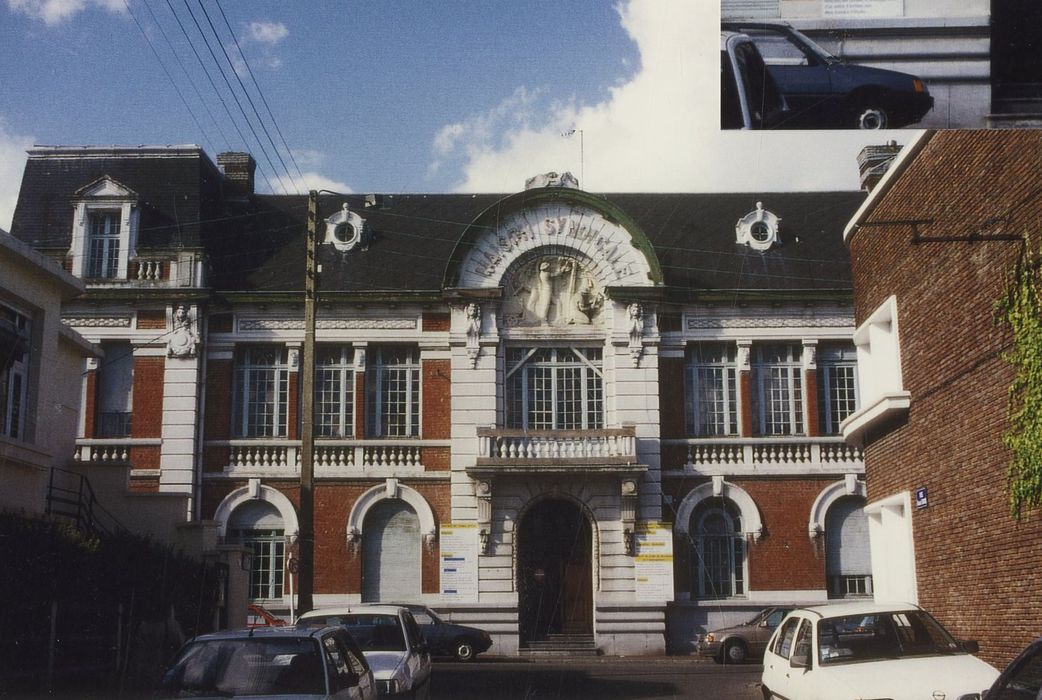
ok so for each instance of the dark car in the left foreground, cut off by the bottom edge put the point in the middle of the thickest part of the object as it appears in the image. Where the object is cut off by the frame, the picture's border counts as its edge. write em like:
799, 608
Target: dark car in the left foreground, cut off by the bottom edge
271, 662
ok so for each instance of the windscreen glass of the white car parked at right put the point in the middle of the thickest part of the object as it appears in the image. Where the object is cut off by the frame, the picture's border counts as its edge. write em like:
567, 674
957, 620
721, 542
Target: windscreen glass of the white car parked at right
870, 638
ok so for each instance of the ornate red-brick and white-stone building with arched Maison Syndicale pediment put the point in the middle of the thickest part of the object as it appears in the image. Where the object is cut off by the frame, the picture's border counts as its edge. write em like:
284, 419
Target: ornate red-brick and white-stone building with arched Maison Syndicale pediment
610, 417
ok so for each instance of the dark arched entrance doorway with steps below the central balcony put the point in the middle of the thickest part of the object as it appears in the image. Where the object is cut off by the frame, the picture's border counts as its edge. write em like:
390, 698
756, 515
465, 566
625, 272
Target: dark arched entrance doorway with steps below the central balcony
555, 572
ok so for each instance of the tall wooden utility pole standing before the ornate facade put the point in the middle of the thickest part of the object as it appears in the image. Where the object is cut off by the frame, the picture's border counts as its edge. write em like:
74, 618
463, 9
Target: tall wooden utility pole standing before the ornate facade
306, 583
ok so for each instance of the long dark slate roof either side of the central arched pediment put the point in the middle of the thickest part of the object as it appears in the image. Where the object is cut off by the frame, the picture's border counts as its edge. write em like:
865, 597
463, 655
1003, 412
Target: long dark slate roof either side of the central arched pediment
413, 237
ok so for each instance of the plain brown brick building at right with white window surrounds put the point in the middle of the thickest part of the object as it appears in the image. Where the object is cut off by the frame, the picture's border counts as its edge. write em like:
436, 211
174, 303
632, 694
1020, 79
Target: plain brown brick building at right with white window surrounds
933, 249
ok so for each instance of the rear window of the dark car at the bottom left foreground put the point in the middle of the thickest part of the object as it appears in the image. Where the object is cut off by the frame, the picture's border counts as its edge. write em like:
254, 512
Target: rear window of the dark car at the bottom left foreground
230, 668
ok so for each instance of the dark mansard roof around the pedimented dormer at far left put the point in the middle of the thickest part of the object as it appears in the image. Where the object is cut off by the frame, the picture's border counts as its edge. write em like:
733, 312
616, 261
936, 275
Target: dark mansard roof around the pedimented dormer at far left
177, 188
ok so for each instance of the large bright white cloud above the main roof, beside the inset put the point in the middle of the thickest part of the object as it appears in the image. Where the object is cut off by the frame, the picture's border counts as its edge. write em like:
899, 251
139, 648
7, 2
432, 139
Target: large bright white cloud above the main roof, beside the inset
657, 132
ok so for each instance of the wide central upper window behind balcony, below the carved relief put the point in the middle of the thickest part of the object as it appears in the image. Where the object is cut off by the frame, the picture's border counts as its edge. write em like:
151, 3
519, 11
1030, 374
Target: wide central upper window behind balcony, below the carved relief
555, 389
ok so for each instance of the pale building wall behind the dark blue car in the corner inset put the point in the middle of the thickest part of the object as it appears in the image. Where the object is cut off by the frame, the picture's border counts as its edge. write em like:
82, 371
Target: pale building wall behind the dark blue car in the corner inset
976, 57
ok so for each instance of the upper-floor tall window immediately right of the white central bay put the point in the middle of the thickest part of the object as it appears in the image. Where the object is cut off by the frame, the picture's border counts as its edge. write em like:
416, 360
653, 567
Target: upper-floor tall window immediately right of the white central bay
712, 390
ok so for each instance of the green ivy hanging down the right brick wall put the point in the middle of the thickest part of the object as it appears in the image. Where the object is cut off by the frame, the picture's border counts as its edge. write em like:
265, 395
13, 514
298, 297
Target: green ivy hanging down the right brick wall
1022, 311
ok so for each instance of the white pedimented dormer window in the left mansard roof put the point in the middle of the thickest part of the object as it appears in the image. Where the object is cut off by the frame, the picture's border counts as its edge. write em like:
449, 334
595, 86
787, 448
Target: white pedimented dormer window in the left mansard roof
105, 231
